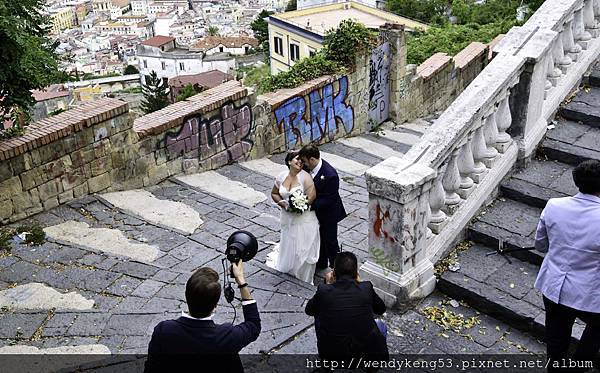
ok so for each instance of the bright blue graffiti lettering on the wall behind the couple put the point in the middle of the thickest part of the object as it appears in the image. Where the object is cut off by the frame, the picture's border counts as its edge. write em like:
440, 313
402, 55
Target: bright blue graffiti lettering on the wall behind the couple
319, 115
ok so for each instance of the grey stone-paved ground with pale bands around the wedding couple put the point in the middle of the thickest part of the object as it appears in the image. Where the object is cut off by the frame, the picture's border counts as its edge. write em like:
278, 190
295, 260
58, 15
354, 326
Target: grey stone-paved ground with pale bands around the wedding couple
114, 265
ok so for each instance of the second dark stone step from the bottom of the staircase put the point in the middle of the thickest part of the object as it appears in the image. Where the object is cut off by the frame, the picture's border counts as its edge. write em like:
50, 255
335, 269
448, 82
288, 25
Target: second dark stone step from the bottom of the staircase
512, 222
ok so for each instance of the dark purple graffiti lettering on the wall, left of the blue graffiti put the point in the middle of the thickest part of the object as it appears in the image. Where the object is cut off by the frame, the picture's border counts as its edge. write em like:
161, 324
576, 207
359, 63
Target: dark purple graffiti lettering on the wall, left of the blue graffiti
223, 138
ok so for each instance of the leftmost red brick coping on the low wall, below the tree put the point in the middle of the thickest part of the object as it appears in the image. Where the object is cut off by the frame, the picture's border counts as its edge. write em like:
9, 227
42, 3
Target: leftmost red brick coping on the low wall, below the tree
58, 126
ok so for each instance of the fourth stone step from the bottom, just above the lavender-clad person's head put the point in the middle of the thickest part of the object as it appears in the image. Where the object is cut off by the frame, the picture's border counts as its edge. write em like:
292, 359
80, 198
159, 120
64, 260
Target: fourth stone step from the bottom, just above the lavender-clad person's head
571, 143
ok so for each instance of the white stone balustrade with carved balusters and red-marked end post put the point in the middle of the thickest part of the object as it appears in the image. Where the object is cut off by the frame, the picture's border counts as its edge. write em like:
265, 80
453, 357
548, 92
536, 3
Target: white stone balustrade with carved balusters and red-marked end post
420, 204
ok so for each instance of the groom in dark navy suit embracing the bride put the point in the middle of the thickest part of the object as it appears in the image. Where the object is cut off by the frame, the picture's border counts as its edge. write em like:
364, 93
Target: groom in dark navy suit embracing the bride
328, 204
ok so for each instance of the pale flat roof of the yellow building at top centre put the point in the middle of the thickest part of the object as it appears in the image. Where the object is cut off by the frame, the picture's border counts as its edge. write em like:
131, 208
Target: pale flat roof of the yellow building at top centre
322, 18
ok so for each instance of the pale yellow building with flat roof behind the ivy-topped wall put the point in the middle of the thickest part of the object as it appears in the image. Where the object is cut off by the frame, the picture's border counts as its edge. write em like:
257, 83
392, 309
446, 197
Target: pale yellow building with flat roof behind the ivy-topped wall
299, 34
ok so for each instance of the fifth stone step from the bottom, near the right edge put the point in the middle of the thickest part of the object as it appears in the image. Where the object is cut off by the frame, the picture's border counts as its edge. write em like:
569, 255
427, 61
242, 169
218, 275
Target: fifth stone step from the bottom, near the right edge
584, 107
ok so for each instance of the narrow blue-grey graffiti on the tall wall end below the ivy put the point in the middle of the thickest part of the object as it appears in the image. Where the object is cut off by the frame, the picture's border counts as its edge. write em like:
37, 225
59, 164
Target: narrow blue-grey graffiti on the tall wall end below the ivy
379, 84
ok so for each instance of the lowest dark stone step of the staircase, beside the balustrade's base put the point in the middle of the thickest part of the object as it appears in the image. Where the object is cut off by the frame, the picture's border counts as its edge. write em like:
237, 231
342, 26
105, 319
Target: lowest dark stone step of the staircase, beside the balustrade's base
499, 289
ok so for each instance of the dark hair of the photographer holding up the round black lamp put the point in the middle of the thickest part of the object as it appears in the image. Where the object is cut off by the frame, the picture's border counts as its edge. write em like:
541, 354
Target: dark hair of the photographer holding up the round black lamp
202, 292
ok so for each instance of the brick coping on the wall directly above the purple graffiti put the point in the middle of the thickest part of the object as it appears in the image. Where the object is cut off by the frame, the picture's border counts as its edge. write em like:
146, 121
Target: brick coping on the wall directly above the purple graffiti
174, 115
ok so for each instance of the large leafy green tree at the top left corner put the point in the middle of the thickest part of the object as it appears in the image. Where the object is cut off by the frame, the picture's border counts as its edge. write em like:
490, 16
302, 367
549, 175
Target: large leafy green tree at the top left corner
28, 60
